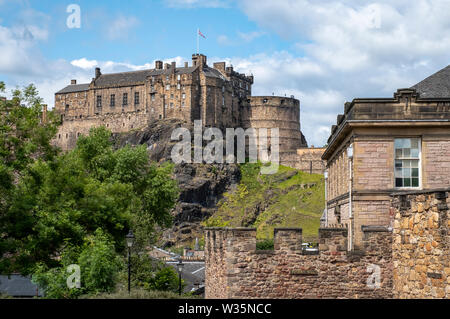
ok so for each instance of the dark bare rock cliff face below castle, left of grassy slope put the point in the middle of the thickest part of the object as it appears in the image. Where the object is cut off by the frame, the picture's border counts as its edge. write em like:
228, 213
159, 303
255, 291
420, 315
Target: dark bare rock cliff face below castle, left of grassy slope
201, 185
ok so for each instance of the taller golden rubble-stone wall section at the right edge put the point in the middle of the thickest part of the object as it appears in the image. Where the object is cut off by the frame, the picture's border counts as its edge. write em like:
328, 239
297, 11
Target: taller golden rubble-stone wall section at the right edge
421, 245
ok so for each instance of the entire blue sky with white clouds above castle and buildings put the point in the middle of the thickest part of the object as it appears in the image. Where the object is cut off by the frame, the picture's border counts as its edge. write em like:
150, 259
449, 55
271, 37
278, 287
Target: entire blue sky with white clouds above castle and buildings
324, 52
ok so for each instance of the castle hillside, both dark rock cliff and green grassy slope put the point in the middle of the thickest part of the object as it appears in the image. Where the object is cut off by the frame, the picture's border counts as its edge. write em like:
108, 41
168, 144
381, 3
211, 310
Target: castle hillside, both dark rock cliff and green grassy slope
231, 194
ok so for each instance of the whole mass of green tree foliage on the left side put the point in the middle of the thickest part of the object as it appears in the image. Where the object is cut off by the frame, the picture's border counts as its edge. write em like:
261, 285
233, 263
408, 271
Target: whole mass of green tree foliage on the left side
50, 200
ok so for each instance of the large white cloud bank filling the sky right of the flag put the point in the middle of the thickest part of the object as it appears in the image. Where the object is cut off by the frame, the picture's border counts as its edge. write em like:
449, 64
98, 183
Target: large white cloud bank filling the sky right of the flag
350, 49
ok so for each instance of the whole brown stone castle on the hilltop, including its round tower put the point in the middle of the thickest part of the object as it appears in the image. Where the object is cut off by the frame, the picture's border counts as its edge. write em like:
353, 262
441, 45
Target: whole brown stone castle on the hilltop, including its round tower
218, 96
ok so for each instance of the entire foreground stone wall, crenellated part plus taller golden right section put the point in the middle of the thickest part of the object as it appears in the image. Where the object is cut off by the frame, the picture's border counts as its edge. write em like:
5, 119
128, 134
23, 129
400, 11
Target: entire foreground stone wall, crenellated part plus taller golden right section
410, 260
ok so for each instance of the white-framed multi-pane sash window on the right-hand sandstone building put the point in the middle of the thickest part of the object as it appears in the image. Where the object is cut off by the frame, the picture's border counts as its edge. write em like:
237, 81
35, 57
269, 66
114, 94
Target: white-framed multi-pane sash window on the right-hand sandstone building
407, 162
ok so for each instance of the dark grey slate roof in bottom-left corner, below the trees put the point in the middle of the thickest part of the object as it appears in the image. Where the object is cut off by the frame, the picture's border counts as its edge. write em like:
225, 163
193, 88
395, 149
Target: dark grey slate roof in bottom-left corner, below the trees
18, 286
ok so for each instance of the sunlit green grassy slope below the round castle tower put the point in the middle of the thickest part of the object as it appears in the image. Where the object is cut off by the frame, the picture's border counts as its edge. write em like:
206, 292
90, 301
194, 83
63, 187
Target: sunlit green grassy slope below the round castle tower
269, 201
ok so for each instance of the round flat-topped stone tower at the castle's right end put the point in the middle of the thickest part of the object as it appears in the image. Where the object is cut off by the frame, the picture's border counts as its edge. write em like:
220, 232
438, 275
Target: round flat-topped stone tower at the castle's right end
272, 112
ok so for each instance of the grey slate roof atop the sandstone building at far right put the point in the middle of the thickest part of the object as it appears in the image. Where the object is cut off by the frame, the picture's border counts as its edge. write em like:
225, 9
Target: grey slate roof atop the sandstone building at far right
436, 85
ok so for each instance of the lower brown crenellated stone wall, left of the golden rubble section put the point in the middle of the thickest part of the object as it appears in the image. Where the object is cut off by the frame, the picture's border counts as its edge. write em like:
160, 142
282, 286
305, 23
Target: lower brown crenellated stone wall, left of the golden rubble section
235, 269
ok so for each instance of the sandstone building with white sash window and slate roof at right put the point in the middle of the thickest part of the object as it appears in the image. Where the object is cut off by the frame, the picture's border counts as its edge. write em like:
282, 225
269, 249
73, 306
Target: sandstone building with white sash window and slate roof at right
381, 146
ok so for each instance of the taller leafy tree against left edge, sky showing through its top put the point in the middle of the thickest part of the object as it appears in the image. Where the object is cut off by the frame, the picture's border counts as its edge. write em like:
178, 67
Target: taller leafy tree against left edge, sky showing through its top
24, 139
